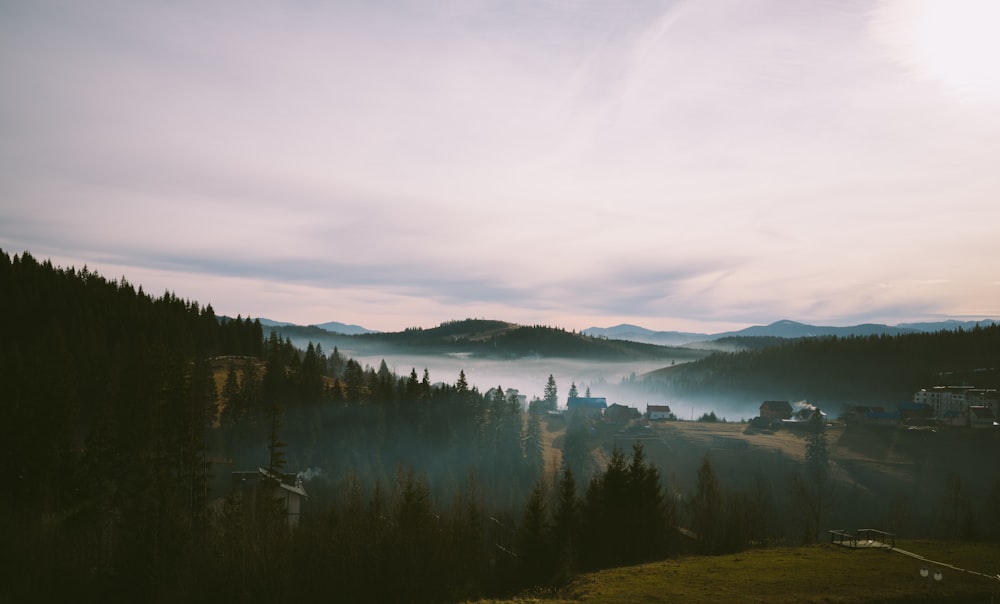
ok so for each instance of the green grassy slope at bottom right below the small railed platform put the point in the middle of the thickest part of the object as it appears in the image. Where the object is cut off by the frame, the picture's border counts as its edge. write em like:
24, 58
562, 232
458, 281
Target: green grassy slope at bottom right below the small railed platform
820, 573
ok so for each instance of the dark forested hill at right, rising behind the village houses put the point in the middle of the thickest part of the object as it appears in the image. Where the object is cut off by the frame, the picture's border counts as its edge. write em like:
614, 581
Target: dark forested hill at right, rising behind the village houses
880, 370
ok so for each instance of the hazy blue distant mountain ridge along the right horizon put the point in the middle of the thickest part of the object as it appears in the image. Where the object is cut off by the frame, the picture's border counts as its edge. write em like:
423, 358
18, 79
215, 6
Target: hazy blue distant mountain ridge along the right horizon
782, 329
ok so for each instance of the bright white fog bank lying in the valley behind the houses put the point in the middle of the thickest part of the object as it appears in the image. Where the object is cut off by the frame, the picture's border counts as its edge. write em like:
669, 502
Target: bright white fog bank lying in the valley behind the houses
529, 377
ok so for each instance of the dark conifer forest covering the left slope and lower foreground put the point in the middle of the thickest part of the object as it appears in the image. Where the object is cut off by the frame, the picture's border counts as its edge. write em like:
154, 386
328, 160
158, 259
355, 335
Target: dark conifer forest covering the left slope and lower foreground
124, 415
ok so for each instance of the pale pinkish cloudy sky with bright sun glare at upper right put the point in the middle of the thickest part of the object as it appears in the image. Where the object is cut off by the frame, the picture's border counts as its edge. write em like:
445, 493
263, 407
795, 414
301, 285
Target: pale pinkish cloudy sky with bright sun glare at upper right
693, 166
